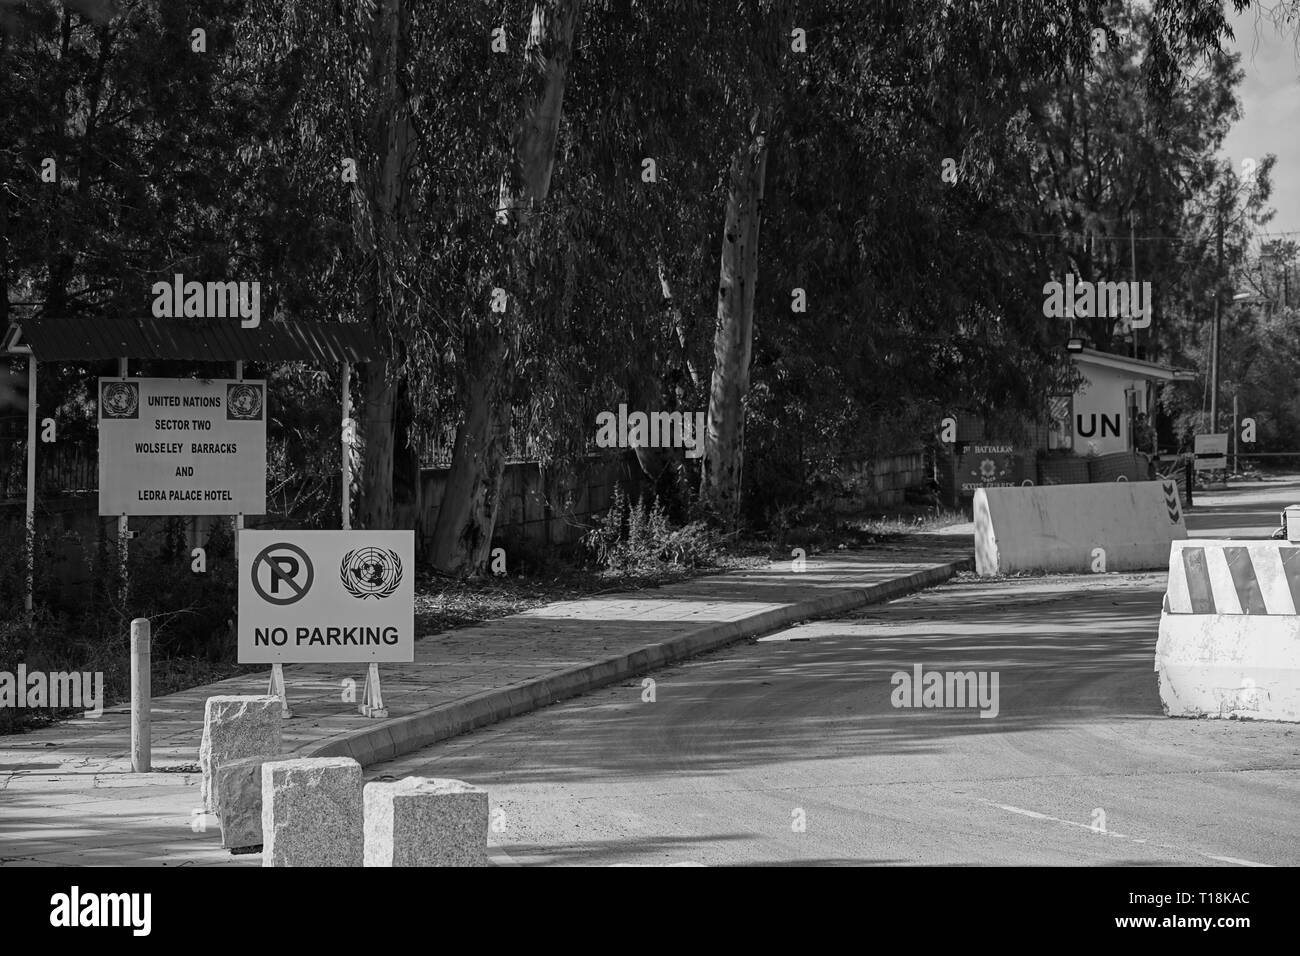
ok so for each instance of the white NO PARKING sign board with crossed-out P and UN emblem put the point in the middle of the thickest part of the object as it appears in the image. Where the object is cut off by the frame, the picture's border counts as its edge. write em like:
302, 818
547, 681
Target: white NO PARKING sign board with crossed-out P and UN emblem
327, 596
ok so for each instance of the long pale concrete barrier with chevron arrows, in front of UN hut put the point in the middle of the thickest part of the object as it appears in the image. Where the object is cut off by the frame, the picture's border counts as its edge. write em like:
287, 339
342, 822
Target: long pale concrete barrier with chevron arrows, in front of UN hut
1119, 526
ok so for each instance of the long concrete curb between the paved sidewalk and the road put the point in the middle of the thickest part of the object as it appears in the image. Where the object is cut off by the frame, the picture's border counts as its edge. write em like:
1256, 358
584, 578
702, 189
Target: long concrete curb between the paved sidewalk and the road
401, 736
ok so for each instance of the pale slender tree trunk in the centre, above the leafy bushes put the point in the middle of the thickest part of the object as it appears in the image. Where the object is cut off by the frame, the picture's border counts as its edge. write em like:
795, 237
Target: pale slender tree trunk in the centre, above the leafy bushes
725, 438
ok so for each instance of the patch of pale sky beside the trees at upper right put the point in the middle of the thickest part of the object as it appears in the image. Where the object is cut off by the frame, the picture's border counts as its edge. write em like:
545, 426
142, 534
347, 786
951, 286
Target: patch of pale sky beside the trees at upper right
1271, 113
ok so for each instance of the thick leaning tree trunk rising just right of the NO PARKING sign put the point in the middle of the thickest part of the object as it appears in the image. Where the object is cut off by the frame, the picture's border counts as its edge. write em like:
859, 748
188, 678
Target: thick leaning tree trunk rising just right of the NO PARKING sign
469, 513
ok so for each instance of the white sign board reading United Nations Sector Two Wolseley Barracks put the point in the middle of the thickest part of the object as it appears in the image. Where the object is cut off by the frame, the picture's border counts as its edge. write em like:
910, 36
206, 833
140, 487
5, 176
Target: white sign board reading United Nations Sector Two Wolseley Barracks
183, 447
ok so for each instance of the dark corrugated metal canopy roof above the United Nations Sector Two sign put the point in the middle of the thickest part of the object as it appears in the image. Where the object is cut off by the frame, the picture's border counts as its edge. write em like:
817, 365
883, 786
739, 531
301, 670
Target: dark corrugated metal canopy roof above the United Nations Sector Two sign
194, 340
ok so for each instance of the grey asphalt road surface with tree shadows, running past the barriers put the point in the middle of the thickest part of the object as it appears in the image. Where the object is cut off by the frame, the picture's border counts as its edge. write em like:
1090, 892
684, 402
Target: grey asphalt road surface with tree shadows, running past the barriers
790, 751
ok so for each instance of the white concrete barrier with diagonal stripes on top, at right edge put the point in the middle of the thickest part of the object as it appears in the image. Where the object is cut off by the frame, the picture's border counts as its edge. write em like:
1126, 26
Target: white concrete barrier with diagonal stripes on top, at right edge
1230, 631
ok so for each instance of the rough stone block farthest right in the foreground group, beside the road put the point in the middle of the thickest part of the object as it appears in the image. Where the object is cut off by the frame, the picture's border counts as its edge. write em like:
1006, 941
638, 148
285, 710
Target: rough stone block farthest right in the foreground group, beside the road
426, 823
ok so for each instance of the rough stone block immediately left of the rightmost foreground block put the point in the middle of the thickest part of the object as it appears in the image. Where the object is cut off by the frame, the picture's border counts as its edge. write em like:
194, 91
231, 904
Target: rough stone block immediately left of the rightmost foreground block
311, 812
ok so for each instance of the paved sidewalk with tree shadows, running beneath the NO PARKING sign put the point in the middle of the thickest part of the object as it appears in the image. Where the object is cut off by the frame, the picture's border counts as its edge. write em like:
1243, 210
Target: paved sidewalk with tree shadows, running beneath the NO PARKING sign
68, 797
